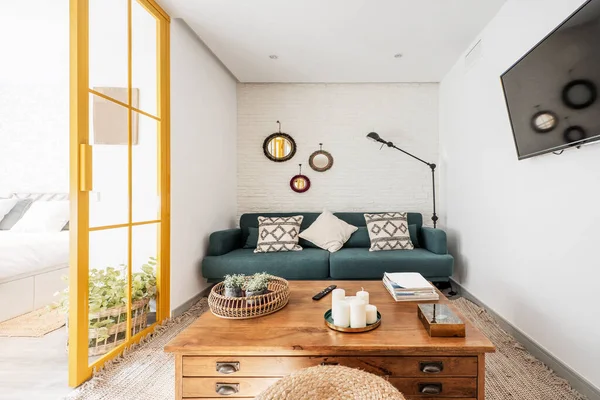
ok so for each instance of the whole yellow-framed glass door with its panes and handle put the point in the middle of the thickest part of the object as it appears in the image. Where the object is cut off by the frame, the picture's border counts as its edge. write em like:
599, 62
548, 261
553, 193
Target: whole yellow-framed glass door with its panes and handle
119, 185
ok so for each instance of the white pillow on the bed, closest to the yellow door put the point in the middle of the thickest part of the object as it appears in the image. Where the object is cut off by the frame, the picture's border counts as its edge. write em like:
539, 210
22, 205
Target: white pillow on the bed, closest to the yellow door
44, 216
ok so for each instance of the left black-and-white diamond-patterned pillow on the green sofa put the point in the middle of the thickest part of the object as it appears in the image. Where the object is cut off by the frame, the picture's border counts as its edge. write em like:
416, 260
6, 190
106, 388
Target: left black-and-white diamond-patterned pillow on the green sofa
278, 234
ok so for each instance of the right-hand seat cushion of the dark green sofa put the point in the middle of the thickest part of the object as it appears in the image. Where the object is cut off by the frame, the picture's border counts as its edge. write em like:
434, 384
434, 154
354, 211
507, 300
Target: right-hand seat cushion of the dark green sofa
360, 263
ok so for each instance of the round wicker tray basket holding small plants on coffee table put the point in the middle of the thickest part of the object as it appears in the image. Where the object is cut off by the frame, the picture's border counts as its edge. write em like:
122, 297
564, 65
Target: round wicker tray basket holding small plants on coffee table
277, 297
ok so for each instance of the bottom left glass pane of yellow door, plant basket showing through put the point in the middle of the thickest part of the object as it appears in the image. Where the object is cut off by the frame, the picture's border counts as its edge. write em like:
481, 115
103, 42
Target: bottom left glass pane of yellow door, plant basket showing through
108, 260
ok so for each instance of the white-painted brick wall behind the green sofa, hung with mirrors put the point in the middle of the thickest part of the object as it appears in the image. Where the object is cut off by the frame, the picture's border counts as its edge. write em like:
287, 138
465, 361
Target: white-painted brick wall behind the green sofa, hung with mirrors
363, 178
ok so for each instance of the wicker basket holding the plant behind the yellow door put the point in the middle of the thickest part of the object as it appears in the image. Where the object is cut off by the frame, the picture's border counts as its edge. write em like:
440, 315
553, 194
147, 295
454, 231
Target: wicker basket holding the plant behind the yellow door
117, 332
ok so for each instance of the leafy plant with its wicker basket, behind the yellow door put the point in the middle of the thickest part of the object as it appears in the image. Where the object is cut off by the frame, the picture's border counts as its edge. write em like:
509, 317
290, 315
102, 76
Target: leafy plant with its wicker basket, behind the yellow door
108, 307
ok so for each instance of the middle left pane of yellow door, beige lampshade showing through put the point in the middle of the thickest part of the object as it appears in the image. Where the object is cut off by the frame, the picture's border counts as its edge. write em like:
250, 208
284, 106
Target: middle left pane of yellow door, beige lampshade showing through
108, 130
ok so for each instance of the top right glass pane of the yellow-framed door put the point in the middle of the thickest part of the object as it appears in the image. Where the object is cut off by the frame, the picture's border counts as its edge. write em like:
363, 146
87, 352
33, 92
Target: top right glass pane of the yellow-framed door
144, 56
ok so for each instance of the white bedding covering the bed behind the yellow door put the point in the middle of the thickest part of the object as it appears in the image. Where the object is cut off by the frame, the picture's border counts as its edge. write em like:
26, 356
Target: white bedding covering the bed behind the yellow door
24, 254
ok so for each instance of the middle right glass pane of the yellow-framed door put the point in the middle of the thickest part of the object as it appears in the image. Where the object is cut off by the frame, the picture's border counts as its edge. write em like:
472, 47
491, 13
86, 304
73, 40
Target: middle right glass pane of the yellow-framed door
145, 171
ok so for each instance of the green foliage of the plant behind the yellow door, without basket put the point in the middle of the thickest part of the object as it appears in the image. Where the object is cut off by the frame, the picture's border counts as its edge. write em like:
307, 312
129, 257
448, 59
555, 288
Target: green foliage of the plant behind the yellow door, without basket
107, 289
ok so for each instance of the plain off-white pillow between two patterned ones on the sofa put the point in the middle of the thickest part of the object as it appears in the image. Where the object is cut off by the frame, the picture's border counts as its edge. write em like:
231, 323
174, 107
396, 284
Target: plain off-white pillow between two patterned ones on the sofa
328, 232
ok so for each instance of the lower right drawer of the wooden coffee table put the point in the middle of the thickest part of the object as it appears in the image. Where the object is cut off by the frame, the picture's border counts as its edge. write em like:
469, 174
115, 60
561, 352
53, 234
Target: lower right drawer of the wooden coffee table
418, 388
